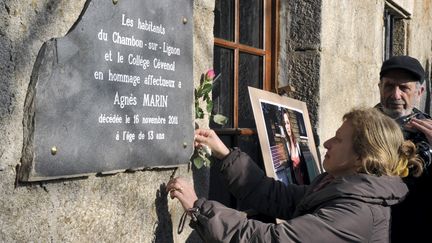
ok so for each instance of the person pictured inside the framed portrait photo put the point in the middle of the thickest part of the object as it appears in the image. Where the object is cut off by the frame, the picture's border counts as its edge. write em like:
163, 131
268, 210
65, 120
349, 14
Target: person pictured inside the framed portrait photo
296, 161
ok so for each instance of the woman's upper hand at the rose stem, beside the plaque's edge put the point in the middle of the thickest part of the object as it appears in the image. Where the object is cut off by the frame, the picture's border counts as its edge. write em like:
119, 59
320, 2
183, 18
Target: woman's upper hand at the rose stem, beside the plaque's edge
209, 138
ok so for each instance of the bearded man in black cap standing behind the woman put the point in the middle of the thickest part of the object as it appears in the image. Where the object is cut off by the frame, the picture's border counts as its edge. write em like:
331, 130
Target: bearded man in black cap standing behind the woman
401, 87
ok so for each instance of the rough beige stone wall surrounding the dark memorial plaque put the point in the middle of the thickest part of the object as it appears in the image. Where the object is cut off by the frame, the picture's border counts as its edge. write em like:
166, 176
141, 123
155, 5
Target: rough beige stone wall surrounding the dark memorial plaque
125, 207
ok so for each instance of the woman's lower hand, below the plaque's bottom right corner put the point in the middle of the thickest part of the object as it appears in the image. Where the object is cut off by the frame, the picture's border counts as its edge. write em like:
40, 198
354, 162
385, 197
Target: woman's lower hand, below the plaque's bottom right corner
182, 190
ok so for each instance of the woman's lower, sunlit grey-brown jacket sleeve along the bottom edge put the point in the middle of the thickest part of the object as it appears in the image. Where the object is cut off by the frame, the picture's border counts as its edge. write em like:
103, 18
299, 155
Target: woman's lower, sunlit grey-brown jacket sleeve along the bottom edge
344, 222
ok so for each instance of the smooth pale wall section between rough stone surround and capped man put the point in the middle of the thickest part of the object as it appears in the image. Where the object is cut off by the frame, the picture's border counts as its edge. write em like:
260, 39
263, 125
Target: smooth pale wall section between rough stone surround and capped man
350, 60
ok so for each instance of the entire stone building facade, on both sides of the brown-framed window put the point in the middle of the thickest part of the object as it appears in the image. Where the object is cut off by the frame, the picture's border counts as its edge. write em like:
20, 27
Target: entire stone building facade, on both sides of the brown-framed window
329, 55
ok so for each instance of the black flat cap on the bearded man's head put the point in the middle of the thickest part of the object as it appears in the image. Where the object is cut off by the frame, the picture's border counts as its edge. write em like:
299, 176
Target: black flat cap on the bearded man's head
406, 63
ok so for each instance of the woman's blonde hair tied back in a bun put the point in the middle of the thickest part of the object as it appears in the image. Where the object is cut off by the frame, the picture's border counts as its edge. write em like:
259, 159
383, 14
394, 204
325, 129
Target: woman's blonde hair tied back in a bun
380, 145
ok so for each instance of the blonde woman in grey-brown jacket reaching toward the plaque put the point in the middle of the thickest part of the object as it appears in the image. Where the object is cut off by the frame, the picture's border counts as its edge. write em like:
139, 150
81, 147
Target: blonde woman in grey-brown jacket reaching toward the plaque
348, 203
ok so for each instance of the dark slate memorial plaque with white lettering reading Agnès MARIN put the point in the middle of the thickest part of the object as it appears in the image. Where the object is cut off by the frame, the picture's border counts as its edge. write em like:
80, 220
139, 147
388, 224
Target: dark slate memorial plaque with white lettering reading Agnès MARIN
115, 93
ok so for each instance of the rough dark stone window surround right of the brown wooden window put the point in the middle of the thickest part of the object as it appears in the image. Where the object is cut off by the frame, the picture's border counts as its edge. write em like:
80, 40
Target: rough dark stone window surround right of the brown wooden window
299, 52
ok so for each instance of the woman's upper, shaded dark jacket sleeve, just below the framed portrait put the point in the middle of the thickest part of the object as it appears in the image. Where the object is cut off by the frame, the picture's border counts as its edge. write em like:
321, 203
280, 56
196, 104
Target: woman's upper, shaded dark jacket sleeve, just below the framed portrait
248, 183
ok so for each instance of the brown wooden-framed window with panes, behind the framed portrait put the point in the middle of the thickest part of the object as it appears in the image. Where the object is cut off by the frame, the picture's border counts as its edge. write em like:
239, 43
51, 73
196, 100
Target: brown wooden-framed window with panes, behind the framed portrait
244, 55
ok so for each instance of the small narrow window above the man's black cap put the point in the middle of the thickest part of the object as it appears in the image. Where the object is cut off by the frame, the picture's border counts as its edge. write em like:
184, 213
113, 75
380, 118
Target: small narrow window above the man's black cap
395, 22
